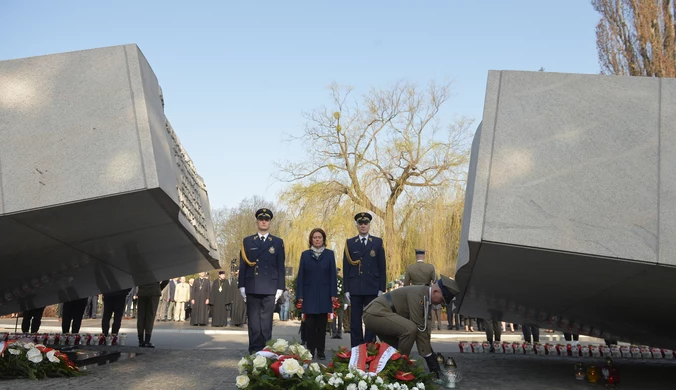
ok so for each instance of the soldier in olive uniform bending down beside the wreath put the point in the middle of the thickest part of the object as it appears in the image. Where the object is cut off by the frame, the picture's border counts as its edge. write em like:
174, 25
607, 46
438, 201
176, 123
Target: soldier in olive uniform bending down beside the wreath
399, 317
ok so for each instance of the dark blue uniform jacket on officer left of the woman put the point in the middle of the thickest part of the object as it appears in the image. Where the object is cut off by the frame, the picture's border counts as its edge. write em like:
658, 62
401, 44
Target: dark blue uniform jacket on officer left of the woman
261, 265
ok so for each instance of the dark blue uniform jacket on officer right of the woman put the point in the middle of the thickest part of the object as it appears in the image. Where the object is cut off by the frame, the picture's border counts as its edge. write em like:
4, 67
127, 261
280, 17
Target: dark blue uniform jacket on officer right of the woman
368, 277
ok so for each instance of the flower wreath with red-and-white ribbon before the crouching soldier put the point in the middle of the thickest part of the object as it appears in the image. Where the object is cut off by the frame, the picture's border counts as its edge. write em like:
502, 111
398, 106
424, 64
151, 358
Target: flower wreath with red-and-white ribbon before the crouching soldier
378, 360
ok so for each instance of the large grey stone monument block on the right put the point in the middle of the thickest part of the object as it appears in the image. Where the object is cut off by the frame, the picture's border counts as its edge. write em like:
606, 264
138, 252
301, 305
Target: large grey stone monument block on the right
570, 215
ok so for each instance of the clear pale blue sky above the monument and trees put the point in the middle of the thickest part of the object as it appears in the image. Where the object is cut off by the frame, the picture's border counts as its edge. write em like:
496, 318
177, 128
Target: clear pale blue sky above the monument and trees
237, 75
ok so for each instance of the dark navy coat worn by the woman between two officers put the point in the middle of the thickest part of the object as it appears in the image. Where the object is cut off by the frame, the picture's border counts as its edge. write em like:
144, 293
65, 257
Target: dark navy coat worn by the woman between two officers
317, 282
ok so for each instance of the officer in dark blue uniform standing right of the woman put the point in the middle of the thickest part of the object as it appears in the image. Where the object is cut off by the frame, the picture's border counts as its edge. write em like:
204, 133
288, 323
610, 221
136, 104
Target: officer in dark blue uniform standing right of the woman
365, 275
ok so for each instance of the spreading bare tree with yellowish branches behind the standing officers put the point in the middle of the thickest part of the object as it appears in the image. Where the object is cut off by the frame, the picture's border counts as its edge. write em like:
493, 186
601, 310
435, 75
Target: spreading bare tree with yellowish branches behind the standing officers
386, 152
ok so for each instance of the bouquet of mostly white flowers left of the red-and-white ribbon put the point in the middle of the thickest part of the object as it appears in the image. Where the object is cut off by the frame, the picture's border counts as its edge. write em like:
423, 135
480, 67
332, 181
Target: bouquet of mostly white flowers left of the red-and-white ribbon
279, 366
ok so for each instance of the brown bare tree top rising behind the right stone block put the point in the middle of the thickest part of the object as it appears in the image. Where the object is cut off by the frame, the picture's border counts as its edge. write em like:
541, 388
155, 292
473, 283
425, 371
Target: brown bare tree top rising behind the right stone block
636, 37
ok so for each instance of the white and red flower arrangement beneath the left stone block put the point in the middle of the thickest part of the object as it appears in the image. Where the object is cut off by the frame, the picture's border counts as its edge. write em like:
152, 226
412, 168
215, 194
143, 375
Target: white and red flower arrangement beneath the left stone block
25, 359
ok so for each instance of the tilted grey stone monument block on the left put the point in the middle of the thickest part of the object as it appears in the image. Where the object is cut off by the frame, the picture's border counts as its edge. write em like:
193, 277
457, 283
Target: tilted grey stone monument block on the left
96, 192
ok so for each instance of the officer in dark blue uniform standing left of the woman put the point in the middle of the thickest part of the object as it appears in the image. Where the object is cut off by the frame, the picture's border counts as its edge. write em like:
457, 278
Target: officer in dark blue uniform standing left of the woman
261, 279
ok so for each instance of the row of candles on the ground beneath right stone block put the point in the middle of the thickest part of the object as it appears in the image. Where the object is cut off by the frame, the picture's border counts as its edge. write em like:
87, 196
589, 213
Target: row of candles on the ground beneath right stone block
594, 350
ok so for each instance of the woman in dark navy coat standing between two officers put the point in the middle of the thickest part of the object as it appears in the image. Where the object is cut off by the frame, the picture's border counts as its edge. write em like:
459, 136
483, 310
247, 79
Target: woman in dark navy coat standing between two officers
316, 288
